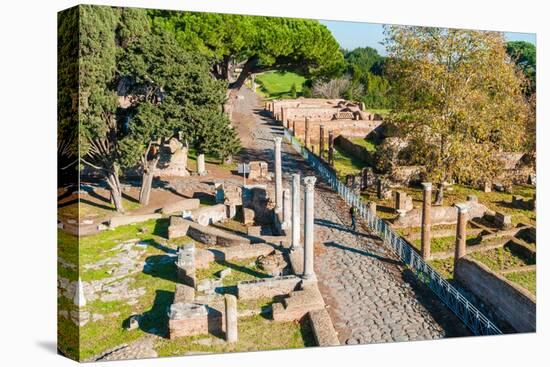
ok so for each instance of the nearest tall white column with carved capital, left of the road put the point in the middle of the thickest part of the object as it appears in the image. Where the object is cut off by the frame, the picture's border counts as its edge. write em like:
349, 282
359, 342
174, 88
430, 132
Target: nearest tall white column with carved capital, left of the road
309, 214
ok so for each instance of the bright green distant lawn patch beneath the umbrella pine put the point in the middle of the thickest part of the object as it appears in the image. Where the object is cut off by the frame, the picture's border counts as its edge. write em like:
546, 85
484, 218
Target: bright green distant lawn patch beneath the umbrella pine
277, 84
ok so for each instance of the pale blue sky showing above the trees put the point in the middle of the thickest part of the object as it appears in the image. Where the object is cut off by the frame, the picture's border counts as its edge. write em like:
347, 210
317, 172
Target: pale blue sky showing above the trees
354, 34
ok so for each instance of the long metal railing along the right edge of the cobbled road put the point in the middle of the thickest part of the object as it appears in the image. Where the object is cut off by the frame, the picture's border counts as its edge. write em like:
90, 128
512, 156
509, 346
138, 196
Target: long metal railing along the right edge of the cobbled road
478, 323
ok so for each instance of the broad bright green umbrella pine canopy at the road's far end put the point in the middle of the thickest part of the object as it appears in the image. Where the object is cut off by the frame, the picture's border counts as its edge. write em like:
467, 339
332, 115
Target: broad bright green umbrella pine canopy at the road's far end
254, 43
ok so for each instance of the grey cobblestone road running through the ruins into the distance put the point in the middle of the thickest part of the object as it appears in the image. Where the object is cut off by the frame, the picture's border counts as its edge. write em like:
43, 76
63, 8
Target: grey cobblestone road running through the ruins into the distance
371, 297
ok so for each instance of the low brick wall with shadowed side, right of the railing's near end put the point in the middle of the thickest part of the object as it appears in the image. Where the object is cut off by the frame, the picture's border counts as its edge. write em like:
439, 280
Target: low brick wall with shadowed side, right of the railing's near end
511, 302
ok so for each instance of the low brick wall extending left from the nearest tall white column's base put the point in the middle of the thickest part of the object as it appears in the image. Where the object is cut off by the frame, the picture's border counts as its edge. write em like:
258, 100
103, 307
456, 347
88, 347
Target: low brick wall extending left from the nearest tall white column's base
267, 287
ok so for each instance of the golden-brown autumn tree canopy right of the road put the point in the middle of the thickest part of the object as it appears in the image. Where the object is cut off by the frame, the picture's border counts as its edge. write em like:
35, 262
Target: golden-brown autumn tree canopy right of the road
457, 99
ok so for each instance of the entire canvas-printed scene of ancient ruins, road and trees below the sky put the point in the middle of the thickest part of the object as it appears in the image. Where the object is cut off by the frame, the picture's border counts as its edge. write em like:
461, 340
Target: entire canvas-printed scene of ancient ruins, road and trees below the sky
215, 199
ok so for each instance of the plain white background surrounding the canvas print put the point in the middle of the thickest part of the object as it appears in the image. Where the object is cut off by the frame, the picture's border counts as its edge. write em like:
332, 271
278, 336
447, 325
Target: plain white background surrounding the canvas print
28, 181
